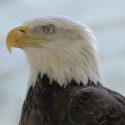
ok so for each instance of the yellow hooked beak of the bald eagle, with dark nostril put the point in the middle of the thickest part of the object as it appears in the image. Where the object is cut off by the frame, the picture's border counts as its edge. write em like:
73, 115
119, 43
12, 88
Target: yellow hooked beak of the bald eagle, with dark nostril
16, 37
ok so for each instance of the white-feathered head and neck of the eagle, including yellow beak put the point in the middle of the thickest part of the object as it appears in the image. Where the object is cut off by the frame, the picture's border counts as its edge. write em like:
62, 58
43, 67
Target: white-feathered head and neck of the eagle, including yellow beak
59, 47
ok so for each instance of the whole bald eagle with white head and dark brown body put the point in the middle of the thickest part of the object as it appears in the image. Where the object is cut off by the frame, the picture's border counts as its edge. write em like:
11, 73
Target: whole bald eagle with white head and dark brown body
65, 86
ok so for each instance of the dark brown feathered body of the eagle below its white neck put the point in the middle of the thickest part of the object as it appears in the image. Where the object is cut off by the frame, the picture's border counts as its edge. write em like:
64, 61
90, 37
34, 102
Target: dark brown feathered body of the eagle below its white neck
50, 104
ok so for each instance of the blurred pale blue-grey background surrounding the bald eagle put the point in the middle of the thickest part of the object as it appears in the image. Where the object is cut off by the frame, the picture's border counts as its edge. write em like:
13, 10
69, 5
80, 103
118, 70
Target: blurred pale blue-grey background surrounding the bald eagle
105, 17
